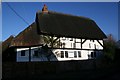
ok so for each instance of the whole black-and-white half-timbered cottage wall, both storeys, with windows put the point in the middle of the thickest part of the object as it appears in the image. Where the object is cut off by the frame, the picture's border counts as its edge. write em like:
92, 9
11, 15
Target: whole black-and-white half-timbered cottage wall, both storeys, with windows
73, 49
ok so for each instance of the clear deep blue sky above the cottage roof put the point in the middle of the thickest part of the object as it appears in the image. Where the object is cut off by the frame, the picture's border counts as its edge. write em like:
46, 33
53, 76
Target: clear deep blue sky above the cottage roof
105, 14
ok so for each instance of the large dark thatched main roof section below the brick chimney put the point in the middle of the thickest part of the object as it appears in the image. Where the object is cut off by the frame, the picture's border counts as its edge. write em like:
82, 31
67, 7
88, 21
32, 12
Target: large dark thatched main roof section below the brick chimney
58, 24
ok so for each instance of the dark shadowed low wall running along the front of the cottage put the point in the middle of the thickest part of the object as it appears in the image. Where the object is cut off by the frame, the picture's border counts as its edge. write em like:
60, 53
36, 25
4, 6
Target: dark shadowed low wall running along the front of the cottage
34, 69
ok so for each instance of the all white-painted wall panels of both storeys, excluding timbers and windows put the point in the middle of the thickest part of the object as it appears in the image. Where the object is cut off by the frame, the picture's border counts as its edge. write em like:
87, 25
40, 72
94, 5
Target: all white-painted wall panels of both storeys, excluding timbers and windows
88, 44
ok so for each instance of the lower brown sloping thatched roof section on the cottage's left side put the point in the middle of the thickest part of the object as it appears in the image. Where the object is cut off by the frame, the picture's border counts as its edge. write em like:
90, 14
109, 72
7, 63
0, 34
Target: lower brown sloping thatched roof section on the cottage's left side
28, 37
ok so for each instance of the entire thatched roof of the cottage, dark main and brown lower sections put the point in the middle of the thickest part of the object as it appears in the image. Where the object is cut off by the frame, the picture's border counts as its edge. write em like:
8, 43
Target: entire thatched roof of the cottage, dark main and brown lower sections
56, 24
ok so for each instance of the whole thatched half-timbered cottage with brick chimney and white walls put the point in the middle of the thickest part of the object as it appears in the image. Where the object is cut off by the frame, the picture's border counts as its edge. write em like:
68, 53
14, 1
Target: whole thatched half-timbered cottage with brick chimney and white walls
56, 37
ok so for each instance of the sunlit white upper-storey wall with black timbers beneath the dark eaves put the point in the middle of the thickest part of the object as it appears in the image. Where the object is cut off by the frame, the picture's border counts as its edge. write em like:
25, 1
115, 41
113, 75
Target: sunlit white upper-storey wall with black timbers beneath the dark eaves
88, 44
